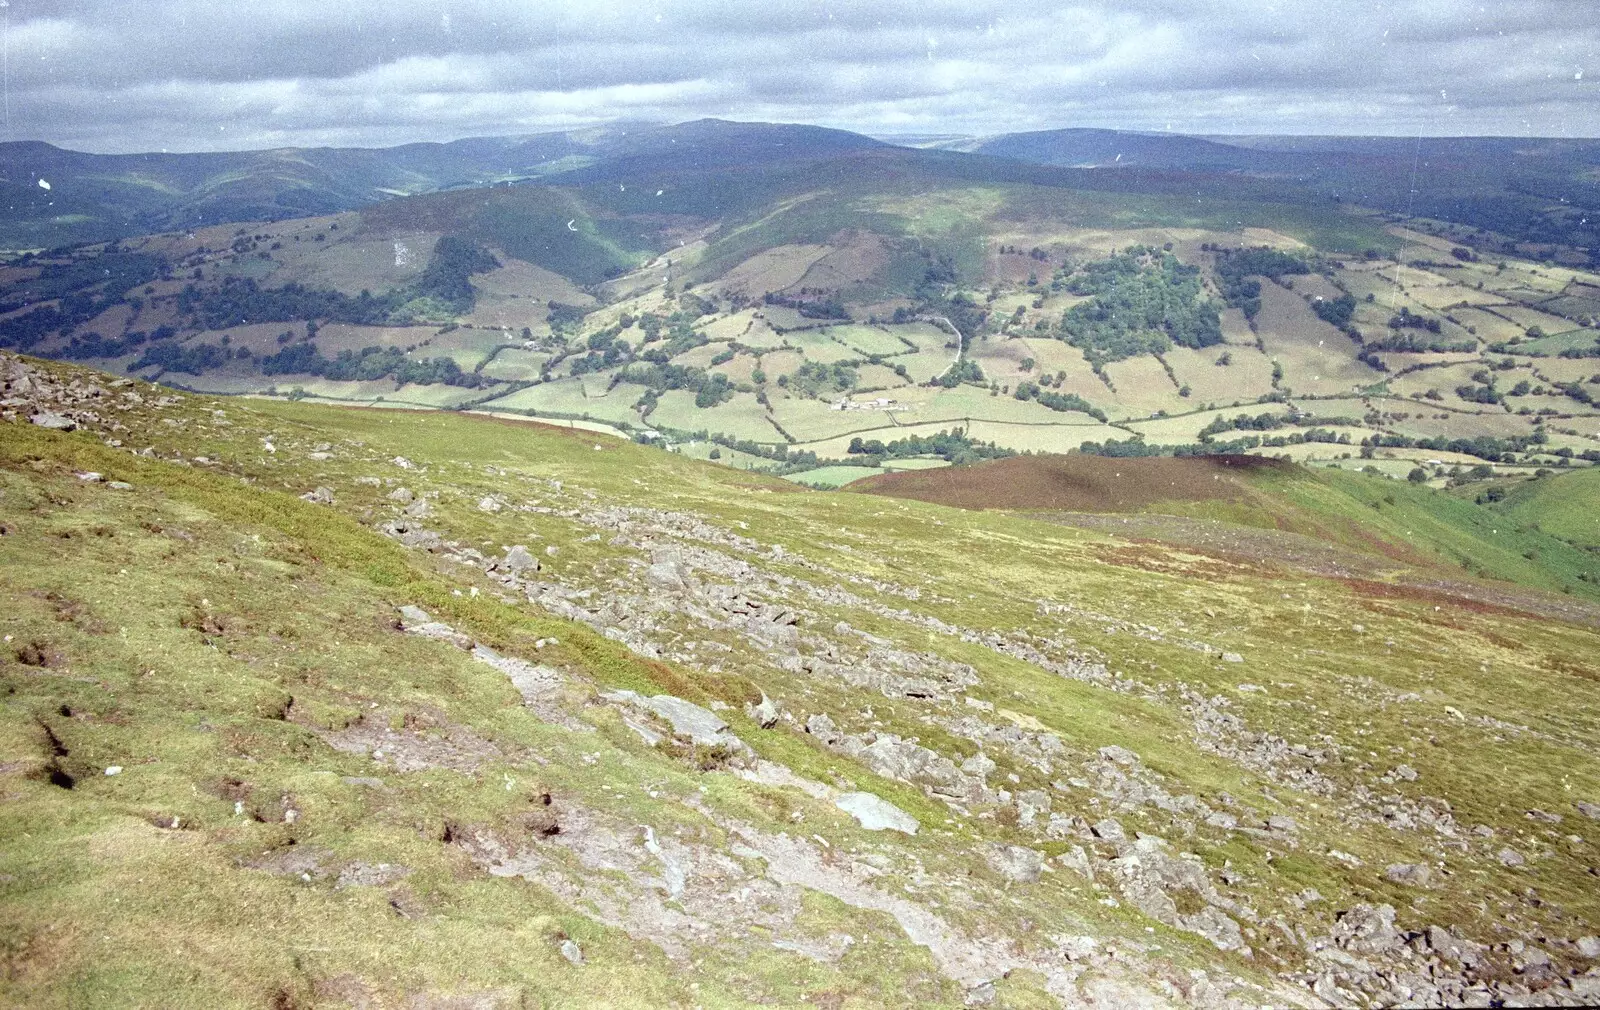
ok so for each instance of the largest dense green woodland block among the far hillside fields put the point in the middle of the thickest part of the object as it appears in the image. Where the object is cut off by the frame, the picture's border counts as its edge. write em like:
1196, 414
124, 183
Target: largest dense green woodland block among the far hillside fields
1142, 302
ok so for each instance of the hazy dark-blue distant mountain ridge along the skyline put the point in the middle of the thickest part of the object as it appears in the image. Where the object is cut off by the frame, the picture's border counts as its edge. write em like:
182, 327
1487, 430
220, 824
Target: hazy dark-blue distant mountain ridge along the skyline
1537, 190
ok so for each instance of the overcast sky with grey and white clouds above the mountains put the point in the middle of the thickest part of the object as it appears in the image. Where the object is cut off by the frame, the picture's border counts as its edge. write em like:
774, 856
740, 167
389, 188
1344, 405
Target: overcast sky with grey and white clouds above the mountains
116, 76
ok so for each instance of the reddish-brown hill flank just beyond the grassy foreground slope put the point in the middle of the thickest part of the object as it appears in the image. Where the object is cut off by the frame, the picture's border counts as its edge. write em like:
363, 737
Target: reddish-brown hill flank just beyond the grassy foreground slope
1076, 484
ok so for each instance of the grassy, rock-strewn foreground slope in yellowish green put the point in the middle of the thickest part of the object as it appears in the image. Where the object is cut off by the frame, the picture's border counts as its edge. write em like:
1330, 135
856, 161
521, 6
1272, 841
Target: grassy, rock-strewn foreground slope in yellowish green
313, 808
